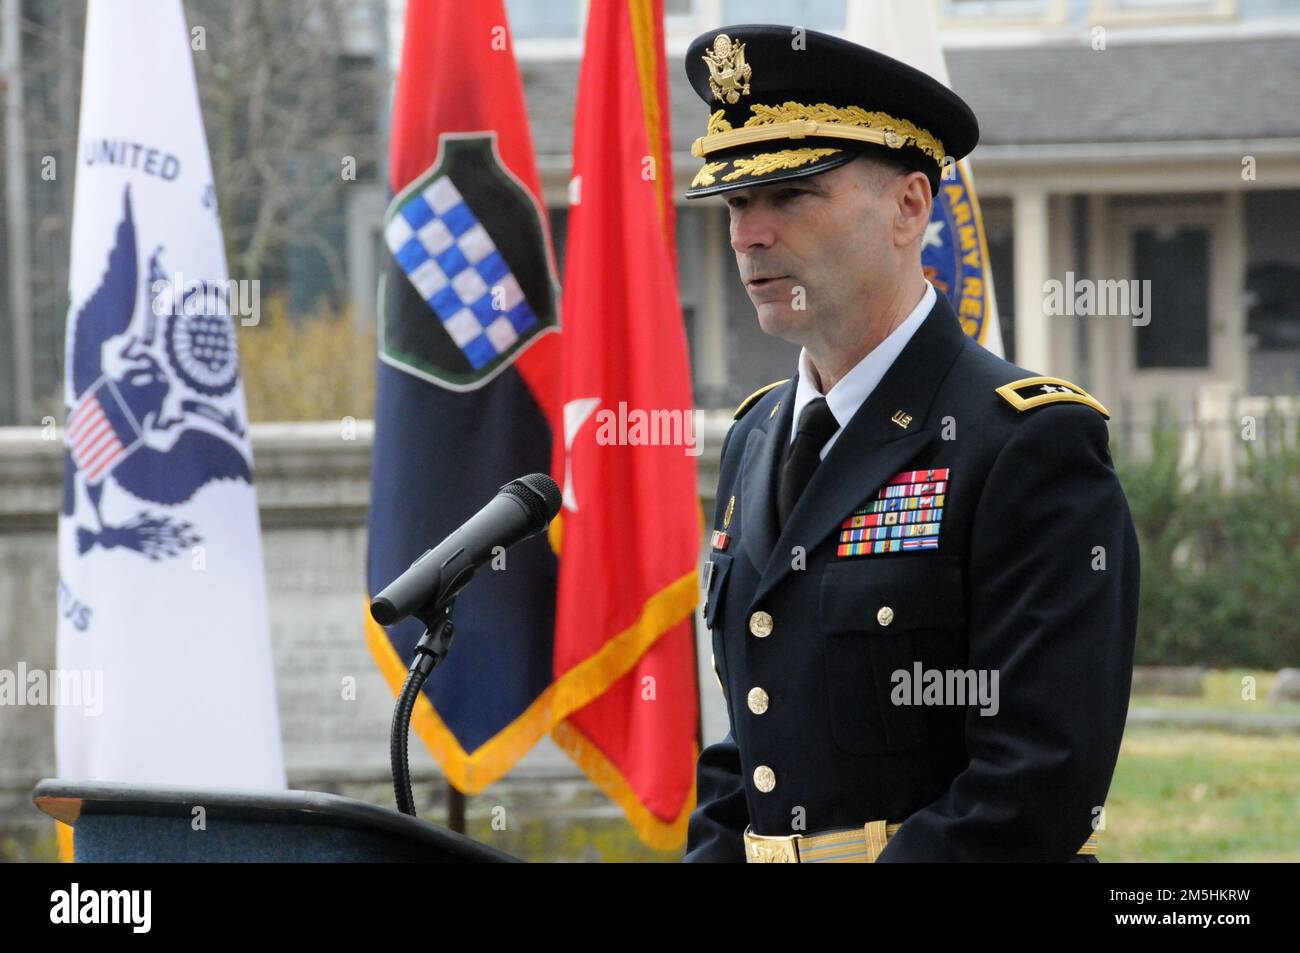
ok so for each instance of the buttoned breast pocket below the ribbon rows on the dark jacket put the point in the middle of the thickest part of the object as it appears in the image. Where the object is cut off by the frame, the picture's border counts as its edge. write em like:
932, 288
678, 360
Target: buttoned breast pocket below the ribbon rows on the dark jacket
878, 620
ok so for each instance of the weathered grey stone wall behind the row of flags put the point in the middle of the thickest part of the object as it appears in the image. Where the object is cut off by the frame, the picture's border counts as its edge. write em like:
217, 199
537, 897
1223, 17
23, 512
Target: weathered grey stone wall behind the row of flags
314, 493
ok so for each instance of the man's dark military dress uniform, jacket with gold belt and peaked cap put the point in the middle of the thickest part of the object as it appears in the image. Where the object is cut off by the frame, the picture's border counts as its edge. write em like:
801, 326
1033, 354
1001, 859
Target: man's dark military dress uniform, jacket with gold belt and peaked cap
965, 519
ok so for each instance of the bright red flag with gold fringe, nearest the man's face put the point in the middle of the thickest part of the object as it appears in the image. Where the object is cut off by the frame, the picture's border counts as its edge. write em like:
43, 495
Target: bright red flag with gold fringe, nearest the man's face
629, 535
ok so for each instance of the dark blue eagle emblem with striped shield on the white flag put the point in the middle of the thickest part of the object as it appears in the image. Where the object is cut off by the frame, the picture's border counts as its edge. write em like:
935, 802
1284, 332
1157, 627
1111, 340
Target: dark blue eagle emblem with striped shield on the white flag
149, 413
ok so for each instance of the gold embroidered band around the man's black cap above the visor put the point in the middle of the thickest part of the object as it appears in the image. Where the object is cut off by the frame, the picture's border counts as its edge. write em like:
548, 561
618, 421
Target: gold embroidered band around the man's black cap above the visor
800, 122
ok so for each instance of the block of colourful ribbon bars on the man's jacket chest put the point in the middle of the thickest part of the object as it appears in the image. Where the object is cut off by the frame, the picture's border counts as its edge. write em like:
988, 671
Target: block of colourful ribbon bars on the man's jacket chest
904, 516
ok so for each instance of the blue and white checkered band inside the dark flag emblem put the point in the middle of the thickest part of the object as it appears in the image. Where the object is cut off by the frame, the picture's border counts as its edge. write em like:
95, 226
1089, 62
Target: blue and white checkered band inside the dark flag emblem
456, 266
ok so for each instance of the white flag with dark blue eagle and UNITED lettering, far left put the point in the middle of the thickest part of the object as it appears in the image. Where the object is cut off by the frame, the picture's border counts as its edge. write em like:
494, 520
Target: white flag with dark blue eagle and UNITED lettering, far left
163, 627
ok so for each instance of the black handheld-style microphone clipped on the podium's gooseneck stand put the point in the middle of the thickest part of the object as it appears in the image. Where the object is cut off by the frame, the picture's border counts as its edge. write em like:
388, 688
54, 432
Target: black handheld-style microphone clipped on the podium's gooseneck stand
521, 510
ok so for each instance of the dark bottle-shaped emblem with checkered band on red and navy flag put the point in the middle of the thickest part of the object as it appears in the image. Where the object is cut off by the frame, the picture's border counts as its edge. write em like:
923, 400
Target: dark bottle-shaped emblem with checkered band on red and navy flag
470, 281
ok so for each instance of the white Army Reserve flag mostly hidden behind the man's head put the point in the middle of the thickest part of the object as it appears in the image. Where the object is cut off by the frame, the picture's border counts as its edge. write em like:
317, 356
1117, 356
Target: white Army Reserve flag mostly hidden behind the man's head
955, 254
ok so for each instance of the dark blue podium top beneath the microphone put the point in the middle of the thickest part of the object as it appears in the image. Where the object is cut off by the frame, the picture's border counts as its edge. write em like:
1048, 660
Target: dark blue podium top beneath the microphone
119, 822
